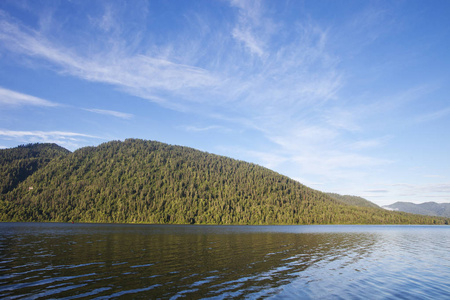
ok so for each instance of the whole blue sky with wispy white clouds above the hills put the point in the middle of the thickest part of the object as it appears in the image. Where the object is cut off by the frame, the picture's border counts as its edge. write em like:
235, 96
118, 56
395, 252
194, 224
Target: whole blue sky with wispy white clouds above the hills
349, 97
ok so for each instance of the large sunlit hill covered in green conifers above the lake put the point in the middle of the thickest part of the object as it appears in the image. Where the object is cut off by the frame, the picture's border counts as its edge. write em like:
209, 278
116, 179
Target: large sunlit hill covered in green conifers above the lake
152, 182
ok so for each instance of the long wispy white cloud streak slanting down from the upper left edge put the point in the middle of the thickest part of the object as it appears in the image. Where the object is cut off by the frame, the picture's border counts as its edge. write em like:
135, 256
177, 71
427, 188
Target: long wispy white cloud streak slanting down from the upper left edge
139, 74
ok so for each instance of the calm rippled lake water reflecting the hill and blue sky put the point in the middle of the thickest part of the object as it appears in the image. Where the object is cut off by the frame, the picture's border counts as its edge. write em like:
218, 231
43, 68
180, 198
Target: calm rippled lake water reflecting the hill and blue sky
72, 261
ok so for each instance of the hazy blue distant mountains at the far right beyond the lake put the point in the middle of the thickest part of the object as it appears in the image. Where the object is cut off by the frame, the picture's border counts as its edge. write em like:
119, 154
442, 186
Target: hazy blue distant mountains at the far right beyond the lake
427, 208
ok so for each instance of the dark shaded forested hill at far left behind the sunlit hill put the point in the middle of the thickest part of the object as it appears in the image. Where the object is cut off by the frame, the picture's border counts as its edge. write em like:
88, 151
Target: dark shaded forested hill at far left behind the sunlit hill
18, 163
